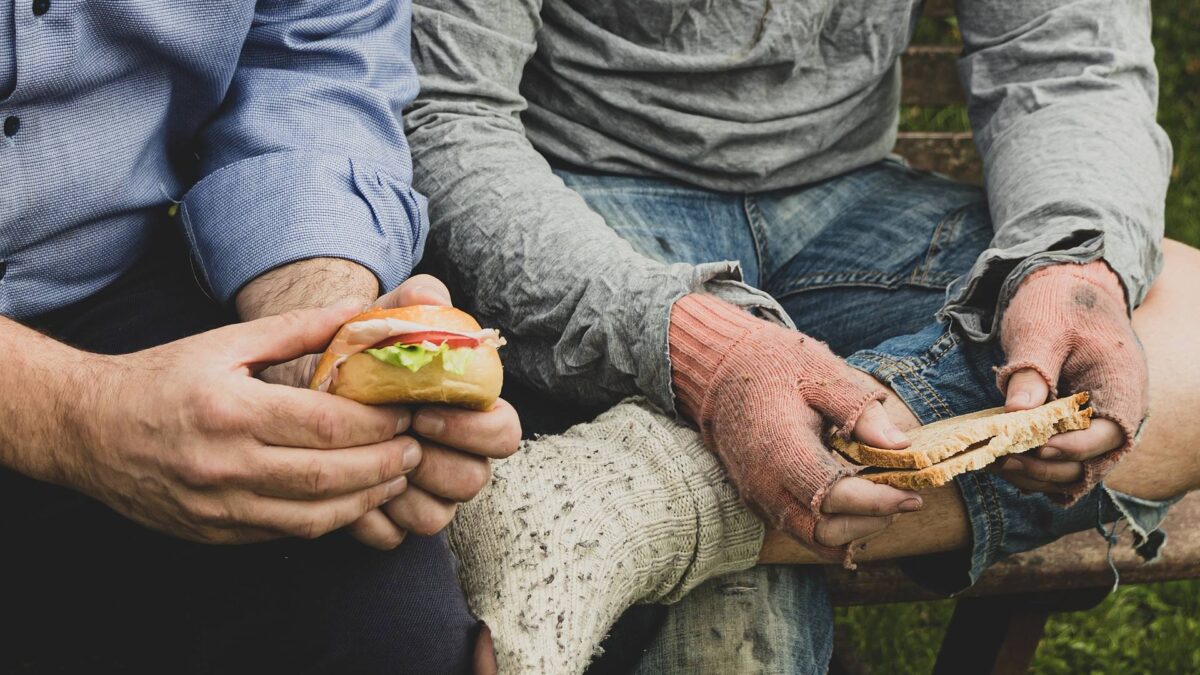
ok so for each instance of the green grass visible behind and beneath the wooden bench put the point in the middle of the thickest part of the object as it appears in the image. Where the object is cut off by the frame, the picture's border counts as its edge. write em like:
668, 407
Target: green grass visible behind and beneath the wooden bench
1153, 629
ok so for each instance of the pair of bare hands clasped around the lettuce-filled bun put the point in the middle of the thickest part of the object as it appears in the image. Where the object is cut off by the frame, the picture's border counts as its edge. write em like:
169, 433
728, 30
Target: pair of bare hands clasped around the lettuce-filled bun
187, 440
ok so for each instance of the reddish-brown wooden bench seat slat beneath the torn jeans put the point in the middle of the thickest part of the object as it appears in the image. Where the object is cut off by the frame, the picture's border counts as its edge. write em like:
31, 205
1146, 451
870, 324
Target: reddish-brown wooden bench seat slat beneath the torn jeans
1078, 561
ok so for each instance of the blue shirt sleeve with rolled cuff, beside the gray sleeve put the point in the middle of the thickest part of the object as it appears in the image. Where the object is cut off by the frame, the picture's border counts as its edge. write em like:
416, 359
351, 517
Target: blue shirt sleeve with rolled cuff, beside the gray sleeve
308, 157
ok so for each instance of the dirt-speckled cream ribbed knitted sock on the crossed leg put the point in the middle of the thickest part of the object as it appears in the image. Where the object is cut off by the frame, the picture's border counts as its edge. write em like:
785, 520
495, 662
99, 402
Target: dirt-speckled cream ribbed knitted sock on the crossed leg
575, 529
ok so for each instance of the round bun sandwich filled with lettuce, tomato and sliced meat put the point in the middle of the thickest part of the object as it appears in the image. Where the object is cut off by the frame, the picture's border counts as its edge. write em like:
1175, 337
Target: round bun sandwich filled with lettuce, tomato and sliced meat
416, 355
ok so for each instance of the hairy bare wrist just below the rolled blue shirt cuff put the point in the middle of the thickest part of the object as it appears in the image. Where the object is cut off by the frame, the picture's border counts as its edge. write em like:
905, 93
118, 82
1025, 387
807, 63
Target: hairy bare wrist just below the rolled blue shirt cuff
315, 283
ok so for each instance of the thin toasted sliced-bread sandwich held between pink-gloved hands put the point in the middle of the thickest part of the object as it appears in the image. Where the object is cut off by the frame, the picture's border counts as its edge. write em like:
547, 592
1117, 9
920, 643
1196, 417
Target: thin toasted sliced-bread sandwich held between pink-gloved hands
946, 449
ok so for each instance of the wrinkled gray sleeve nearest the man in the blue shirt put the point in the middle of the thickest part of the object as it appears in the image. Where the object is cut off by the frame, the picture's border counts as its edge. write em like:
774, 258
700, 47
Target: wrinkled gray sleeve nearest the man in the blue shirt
586, 316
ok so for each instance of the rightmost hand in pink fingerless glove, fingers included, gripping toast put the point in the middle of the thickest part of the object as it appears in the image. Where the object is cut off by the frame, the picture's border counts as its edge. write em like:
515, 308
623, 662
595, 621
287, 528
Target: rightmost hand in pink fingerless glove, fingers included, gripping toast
1071, 322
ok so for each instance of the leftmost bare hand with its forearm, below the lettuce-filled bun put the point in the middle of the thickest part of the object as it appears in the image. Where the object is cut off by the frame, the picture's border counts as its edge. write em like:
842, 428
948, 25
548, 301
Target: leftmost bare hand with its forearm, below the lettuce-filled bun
185, 440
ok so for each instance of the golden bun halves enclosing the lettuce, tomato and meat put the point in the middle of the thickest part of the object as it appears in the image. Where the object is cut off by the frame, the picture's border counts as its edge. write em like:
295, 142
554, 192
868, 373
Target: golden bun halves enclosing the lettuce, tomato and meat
368, 380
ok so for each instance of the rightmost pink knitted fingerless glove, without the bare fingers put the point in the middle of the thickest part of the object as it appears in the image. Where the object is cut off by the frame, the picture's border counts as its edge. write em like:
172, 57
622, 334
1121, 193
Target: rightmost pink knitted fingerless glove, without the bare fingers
1070, 321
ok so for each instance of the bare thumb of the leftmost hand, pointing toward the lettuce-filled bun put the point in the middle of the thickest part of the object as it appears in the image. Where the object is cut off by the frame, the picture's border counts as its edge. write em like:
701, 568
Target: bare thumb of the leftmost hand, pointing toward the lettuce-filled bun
286, 337
